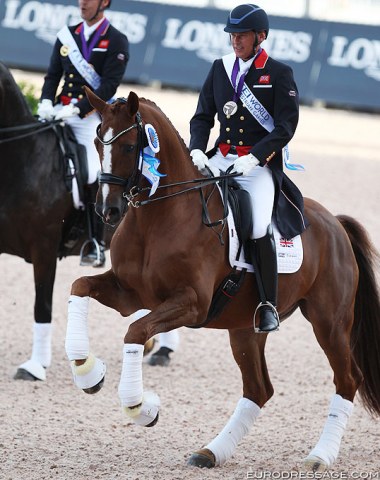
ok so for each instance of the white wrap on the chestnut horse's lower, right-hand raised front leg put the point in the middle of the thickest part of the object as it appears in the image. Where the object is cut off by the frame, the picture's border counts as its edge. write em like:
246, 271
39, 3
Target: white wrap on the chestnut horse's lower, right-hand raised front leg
131, 384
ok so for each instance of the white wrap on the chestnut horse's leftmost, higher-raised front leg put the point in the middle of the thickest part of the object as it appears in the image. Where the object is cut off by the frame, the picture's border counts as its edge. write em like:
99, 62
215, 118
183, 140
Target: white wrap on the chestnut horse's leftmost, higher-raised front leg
77, 342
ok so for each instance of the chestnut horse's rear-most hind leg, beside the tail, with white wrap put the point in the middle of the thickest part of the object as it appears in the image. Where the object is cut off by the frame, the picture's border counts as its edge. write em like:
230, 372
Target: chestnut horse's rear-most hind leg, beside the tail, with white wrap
333, 334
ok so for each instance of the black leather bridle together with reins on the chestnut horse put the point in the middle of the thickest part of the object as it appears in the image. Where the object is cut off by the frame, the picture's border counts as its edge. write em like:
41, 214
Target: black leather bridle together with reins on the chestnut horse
131, 185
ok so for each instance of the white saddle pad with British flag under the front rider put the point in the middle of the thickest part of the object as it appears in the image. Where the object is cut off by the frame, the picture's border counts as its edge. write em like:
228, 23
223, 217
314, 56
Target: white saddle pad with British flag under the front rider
289, 252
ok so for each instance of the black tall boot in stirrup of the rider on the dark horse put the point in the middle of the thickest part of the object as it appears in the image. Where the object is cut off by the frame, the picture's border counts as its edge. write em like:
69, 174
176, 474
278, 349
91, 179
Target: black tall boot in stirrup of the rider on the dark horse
93, 250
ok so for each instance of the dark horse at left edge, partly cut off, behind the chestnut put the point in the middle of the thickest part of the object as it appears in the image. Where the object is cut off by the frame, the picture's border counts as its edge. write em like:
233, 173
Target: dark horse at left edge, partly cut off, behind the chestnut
35, 208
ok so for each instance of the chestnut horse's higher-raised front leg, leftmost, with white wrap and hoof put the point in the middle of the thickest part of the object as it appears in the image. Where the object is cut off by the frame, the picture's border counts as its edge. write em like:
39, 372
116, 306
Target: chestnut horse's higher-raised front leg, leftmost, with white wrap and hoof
88, 370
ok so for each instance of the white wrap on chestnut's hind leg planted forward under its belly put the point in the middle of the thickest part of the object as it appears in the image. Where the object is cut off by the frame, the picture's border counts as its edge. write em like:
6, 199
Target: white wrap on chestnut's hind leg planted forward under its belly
244, 416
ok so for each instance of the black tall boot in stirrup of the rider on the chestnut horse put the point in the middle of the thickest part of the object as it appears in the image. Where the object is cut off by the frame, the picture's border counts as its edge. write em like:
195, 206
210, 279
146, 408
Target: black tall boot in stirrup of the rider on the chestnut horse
264, 252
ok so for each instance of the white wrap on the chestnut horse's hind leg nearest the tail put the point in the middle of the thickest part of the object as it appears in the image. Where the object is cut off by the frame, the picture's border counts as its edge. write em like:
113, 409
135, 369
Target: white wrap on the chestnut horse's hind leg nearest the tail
327, 448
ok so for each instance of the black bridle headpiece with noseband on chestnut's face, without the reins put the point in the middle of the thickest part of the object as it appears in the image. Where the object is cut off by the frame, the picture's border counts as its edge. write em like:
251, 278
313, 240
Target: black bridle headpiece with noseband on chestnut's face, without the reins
131, 182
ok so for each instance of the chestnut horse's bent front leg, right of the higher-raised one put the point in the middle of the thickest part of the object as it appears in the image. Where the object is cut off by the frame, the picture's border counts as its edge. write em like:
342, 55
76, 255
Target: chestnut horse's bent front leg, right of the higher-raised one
181, 309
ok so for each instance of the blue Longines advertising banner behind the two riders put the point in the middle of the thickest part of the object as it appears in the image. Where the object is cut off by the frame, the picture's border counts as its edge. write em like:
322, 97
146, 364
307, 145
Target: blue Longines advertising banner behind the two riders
333, 62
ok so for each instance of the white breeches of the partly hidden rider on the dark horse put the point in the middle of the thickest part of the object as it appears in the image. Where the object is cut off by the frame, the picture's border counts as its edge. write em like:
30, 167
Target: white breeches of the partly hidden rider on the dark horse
85, 133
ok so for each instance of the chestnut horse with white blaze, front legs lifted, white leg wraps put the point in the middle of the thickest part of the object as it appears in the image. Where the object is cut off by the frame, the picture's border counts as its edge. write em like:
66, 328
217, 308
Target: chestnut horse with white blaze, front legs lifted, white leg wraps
165, 259
